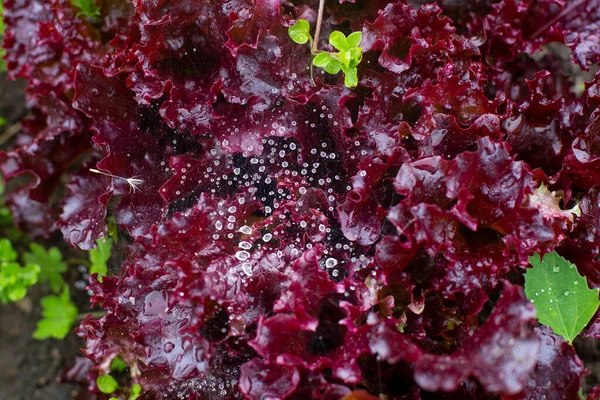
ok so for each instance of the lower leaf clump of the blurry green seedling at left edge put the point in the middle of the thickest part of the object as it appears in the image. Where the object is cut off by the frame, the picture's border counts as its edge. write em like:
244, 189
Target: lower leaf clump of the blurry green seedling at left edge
14, 280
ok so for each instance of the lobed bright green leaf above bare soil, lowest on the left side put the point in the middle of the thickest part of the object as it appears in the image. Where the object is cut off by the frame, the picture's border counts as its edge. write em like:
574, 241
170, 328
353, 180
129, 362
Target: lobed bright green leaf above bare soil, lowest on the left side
58, 315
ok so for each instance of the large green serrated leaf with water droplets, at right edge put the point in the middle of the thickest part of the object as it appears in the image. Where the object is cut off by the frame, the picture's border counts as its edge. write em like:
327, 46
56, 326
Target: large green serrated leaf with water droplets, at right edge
561, 296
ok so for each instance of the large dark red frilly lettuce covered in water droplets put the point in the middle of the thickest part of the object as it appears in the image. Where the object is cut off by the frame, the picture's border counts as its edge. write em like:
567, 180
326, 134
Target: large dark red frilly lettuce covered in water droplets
286, 238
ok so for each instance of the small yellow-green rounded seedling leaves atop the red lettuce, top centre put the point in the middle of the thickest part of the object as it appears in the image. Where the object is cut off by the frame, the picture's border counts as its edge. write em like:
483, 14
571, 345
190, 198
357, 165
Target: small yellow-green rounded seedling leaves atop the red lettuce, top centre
346, 59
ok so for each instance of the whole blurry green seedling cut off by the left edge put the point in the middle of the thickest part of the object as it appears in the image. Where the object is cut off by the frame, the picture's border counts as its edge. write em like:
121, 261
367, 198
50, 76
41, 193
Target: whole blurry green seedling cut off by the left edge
14, 279
